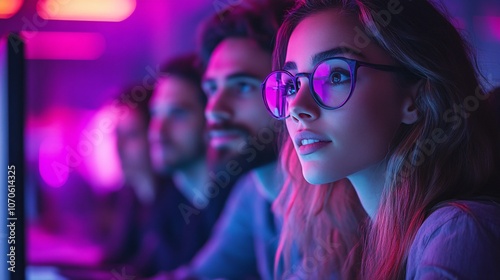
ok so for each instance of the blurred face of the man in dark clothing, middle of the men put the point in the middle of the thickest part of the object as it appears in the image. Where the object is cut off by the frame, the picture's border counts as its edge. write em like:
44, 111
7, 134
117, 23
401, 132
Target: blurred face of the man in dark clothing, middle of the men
176, 131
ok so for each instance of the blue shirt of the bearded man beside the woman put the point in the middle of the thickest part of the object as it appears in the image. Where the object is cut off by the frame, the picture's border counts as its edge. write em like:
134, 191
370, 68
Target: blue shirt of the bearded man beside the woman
245, 238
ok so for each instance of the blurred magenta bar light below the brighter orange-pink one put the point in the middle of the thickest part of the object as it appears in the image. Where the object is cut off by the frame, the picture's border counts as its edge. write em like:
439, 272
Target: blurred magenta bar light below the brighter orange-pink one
63, 45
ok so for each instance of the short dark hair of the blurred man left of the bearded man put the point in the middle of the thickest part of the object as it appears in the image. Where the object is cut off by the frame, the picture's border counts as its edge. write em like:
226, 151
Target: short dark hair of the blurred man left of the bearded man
187, 67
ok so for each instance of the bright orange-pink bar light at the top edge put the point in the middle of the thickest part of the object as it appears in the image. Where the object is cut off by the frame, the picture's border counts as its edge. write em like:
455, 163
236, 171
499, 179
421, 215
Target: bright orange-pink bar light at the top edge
86, 10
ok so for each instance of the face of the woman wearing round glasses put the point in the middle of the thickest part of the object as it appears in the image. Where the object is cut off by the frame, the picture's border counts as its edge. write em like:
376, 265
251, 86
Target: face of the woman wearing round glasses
353, 139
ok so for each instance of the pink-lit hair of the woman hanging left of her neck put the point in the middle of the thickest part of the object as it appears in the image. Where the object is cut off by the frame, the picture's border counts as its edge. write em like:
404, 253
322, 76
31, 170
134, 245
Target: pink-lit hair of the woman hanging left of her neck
322, 221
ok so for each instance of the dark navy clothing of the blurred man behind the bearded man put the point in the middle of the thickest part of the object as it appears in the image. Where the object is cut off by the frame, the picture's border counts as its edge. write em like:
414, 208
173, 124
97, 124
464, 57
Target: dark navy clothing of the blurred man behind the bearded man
176, 231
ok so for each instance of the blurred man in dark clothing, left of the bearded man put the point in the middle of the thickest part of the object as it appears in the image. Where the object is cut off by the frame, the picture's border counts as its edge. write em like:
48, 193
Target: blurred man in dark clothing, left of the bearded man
183, 218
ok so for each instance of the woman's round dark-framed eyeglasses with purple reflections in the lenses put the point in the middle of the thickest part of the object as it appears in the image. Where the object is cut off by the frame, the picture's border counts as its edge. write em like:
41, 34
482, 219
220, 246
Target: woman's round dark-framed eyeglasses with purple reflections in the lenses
331, 84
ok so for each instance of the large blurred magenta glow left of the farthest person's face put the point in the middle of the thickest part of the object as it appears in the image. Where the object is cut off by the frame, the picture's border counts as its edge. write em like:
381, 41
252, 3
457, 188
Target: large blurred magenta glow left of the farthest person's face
81, 142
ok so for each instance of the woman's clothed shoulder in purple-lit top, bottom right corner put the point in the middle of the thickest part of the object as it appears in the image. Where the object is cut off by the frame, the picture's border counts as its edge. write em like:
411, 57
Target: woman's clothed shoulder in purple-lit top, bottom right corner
460, 239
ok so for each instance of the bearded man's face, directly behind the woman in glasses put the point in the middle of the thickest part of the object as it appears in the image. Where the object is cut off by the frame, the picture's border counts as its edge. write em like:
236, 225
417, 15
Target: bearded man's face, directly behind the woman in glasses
235, 109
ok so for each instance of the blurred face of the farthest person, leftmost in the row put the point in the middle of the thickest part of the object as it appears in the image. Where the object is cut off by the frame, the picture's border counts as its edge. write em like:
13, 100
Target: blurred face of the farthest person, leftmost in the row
132, 142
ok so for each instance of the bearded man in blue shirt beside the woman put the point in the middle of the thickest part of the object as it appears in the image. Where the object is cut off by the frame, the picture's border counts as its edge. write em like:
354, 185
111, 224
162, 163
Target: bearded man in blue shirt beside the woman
238, 53
